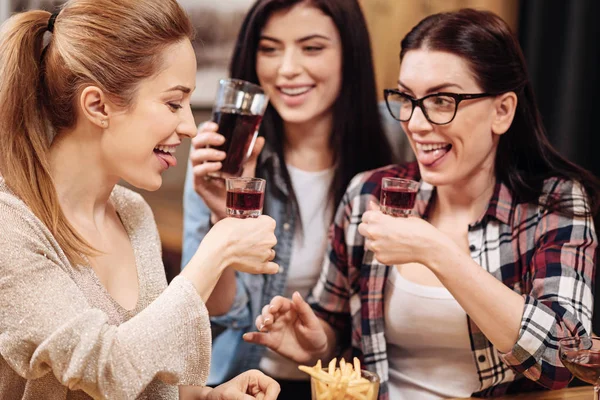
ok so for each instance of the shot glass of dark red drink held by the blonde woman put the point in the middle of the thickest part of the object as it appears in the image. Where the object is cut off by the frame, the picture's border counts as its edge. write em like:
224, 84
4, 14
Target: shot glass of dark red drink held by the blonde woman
245, 197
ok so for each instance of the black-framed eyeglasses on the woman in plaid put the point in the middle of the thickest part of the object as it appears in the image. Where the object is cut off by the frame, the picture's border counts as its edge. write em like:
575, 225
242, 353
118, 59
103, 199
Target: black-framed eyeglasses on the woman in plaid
438, 108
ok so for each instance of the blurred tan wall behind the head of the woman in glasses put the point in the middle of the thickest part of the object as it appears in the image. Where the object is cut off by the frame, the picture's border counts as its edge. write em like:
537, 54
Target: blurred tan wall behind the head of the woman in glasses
390, 20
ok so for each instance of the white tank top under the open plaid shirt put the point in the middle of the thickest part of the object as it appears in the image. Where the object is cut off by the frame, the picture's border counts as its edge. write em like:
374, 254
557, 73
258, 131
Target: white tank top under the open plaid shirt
429, 350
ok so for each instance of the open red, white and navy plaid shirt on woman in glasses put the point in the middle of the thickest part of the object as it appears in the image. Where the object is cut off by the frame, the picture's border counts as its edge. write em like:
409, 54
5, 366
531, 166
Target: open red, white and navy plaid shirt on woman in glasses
546, 257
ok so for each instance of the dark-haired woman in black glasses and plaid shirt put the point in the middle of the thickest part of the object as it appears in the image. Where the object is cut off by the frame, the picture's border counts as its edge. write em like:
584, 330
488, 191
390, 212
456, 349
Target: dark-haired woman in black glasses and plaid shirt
470, 295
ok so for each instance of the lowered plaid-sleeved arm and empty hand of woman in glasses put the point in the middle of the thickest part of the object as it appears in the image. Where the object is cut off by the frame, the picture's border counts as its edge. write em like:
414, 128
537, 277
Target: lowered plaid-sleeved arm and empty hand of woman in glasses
303, 333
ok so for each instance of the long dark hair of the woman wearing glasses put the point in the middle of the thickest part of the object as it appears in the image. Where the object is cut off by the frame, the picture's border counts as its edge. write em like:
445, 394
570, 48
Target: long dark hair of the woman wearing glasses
525, 157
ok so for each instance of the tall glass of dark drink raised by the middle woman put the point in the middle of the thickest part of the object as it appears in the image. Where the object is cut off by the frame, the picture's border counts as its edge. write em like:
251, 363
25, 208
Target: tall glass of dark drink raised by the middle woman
238, 110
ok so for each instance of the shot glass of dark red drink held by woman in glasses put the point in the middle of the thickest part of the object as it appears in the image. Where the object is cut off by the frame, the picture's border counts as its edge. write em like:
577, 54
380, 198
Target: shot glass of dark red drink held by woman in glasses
398, 196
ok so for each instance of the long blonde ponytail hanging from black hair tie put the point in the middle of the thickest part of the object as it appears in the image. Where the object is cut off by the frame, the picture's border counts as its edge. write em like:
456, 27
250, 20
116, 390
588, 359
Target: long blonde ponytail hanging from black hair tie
25, 134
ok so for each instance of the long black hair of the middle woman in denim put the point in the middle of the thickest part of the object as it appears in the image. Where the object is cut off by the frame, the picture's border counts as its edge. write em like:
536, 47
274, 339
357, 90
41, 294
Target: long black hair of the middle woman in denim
358, 139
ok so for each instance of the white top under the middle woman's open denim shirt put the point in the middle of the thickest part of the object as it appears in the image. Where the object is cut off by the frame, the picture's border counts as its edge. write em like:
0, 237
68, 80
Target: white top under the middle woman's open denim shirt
308, 250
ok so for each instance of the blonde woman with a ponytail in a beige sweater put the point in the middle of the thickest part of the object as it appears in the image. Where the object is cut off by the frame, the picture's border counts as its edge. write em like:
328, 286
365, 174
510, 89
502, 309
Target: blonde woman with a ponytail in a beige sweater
85, 307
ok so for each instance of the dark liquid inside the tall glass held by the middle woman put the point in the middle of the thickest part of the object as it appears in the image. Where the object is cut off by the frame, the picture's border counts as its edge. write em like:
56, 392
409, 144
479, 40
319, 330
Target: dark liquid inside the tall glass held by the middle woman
238, 129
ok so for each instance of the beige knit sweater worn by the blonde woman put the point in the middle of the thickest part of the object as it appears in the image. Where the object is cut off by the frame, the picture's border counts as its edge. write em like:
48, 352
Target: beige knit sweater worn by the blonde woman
63, 337
